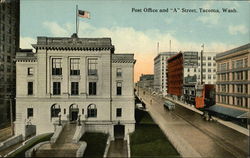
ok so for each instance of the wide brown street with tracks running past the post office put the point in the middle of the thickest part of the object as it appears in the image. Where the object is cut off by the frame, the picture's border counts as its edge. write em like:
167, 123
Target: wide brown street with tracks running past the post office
209, 139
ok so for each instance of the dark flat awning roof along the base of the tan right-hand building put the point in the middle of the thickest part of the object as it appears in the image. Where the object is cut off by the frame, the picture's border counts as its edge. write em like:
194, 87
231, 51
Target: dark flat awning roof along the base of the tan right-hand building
229, 111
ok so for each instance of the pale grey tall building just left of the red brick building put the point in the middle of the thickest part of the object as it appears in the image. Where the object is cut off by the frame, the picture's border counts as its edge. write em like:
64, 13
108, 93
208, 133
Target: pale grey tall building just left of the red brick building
161, 71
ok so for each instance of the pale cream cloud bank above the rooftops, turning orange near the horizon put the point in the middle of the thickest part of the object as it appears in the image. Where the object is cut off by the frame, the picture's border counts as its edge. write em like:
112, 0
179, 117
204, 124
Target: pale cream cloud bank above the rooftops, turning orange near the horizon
142, 44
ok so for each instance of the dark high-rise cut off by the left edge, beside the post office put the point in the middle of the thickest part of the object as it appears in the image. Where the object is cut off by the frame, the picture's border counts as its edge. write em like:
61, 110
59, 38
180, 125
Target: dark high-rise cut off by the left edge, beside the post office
9, 44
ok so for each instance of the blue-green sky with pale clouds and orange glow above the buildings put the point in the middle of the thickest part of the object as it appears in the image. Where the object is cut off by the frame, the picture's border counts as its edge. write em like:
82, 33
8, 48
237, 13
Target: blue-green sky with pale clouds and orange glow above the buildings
139, 32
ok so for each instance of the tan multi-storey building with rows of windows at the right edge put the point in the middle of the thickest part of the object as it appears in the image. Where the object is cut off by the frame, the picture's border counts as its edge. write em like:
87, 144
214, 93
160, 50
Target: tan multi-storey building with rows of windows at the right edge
233, 77
